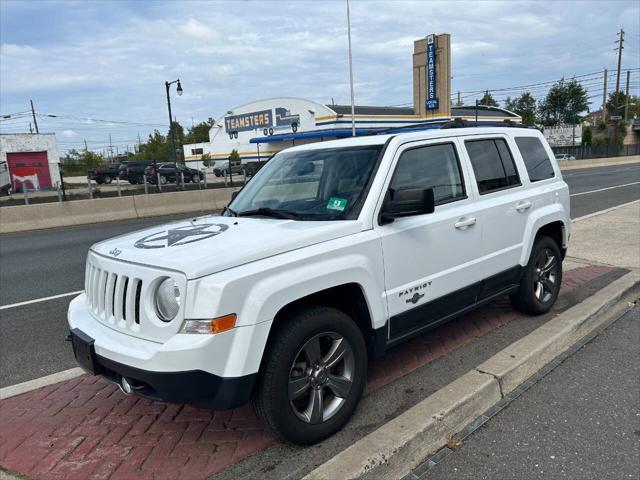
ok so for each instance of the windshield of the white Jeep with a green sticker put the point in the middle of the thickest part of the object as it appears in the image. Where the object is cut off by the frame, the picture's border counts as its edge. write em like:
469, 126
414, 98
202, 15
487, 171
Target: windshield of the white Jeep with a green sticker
327, 184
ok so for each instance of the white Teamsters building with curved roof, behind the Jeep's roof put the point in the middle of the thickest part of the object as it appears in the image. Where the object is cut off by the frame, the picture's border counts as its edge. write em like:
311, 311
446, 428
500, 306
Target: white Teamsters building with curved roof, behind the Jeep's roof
259, 129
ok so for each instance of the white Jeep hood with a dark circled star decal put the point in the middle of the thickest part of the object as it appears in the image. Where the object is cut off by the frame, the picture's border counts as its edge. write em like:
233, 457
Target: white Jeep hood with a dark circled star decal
212, 243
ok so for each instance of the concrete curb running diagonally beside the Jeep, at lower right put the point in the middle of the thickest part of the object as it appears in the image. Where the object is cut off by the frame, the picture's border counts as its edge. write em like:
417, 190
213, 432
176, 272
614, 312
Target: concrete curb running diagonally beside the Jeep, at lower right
394, 449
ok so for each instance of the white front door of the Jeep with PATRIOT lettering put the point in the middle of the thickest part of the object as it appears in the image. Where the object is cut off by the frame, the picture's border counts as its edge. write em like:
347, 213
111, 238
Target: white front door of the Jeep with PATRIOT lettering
431, 260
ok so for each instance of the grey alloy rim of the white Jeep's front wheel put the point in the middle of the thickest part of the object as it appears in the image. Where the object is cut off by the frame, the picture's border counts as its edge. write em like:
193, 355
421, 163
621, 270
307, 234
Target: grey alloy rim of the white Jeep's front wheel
321, 377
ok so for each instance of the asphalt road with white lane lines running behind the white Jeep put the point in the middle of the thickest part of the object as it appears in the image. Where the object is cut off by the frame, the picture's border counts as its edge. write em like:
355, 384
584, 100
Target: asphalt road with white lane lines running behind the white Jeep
51, 262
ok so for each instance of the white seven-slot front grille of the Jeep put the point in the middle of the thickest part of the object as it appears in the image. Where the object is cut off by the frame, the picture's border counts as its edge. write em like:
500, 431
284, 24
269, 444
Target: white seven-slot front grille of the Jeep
113, 298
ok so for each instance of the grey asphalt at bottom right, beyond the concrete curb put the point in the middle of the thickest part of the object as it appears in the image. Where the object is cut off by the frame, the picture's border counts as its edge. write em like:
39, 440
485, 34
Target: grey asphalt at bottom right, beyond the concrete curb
581, 421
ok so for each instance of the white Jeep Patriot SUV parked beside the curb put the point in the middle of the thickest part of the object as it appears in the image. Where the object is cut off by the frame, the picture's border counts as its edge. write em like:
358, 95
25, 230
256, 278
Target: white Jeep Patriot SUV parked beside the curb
332, 254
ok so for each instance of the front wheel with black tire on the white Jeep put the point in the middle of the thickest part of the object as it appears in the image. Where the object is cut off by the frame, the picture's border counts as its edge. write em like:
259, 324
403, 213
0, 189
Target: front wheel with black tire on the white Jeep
271, 399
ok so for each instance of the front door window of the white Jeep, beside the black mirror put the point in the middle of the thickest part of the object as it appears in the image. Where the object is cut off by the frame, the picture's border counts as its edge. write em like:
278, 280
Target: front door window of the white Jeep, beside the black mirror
432, 166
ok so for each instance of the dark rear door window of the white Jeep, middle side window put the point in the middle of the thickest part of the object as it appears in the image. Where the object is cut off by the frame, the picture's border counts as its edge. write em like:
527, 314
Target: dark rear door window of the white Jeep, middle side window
492, 164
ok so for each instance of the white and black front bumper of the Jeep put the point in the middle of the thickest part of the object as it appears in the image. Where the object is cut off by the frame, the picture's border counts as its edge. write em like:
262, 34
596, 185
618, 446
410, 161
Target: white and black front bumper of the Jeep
215, 371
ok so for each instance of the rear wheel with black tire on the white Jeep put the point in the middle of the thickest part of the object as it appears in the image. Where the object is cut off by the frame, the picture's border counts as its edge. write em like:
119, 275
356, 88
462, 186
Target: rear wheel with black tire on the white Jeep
541, 279
